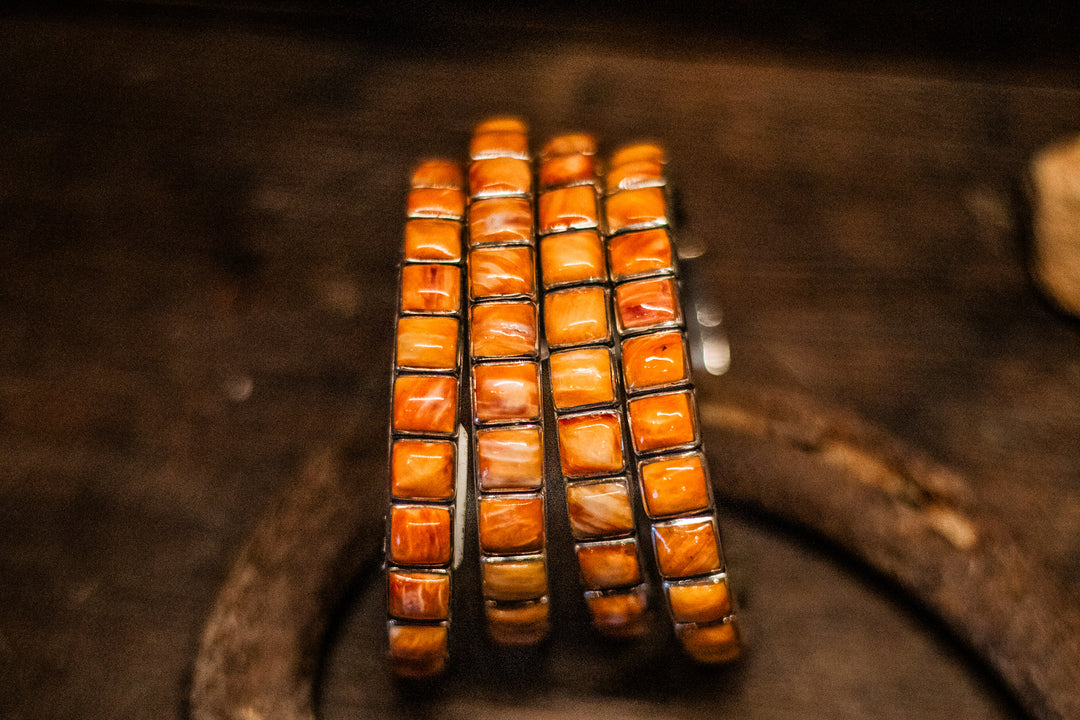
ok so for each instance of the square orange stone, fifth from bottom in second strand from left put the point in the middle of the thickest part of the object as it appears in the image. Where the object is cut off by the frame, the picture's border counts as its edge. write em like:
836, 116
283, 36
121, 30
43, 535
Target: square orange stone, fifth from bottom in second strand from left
507, 392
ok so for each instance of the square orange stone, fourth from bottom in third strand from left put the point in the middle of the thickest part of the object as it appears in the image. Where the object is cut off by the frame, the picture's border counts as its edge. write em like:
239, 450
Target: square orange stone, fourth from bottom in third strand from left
591, 444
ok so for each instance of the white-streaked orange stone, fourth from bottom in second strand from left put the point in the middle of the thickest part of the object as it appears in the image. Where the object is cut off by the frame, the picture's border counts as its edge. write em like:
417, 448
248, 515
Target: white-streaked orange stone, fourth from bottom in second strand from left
510, 458
